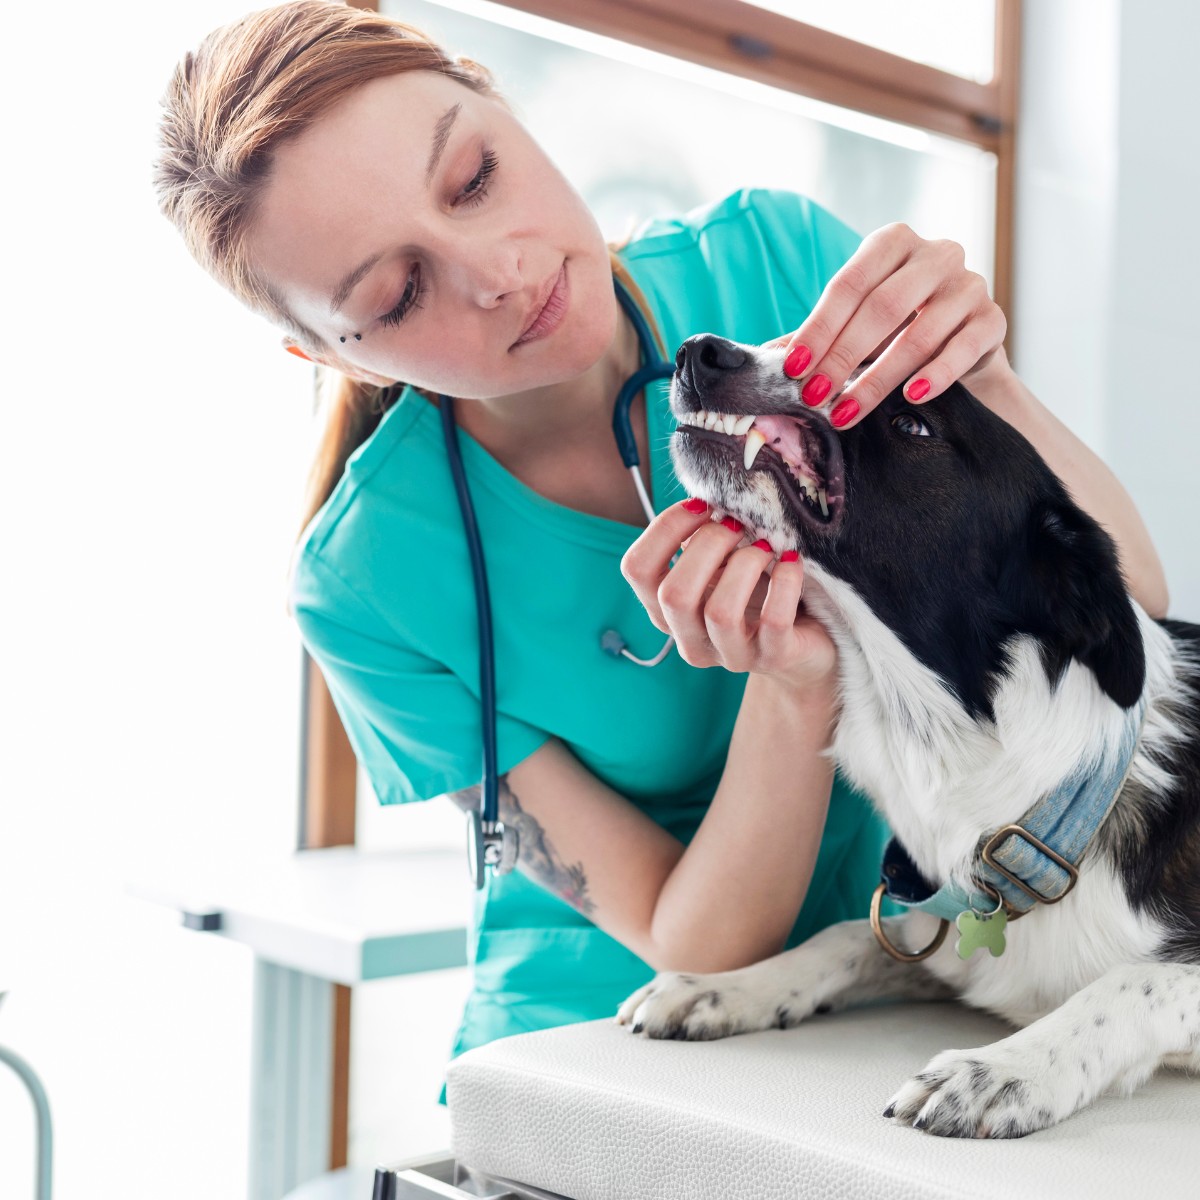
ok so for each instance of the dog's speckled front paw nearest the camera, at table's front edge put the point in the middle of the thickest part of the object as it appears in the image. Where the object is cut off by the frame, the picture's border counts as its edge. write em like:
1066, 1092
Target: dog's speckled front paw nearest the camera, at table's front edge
980, 1094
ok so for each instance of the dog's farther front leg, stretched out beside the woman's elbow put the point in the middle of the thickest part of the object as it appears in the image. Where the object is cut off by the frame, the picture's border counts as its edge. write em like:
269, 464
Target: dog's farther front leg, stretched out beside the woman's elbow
843, 965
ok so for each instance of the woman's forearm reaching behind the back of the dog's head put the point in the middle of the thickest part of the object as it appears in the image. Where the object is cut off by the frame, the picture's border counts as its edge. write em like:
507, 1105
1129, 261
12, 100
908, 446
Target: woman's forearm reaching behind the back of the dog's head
1090, 482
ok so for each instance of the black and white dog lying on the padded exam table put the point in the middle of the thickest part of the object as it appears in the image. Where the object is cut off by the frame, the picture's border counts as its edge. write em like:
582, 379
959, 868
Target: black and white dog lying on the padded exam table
991, 658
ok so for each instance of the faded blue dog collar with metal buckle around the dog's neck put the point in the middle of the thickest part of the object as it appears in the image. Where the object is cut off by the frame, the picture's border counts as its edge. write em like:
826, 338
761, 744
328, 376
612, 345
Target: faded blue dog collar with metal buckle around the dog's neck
1034, 862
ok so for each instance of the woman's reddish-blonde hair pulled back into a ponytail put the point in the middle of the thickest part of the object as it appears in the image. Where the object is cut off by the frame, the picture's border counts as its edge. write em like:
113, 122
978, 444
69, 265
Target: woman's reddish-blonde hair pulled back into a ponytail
247, 89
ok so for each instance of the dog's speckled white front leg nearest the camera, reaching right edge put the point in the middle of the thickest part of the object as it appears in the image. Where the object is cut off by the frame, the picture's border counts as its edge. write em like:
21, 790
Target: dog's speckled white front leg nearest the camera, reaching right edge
1114, 1034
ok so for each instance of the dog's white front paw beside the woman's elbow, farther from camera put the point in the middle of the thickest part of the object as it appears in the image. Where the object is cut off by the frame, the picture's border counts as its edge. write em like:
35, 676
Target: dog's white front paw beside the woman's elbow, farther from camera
699, 1009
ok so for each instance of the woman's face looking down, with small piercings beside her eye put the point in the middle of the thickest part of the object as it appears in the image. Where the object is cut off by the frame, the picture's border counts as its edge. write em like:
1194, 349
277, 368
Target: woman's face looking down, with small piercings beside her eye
448, 226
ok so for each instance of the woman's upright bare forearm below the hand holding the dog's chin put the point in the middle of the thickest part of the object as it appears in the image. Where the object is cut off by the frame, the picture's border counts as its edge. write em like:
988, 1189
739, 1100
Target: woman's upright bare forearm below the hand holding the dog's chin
735, 895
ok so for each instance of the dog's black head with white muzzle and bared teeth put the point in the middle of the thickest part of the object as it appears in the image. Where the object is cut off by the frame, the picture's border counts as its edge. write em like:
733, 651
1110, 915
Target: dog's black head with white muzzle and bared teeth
941, 517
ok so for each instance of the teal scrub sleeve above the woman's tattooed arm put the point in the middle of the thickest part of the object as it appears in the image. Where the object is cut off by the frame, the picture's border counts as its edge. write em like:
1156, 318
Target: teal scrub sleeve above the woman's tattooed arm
415, 727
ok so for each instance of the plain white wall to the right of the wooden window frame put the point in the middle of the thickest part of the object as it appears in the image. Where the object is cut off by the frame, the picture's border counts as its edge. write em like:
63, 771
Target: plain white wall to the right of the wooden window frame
1107, 254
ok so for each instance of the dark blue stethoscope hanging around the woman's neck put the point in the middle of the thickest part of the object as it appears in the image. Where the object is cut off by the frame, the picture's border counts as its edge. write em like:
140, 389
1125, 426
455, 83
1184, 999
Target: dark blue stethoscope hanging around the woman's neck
489, 844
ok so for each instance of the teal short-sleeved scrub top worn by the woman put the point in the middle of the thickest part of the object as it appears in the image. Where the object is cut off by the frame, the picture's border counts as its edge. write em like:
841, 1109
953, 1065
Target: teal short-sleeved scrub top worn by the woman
383, 596
